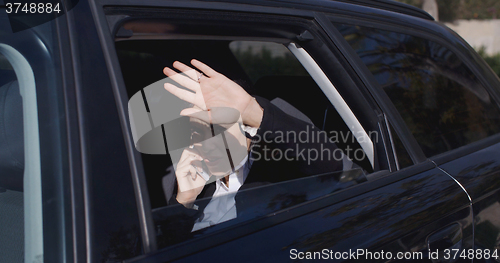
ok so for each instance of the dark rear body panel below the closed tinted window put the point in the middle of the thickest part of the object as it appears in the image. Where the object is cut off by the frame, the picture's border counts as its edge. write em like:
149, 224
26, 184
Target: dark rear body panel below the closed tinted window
476, 168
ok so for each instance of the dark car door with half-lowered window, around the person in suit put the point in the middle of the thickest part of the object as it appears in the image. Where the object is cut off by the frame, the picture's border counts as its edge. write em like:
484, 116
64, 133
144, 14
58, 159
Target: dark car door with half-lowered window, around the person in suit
393, 214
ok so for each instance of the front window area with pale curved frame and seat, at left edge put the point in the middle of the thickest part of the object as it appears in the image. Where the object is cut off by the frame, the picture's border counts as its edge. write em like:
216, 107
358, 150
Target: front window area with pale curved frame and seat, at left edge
21, 221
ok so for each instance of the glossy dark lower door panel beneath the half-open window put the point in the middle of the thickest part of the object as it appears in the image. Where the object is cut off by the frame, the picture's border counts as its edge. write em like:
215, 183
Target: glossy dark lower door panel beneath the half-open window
396, 217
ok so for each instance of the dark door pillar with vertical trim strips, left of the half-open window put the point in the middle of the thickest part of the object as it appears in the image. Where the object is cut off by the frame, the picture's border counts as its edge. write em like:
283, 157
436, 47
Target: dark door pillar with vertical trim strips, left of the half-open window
86, 89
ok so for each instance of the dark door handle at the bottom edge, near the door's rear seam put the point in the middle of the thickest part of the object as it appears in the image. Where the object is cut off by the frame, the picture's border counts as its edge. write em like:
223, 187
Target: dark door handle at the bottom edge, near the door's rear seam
447, 238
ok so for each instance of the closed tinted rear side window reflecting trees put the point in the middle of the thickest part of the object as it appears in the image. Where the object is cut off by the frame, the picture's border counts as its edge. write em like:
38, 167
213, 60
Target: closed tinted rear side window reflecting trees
440, 99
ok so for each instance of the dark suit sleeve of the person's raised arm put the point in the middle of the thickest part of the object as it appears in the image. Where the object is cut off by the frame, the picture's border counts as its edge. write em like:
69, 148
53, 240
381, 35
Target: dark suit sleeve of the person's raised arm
300, 143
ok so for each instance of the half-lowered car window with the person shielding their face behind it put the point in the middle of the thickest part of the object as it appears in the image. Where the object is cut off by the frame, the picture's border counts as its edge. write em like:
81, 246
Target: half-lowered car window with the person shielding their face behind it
272, 179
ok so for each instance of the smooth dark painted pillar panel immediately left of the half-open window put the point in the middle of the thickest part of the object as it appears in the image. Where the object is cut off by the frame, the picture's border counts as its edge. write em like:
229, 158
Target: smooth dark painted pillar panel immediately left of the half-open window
111, 216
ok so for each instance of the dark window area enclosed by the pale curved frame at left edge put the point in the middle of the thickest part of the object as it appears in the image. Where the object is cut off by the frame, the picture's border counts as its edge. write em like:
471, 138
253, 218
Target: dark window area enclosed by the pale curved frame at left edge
11, 196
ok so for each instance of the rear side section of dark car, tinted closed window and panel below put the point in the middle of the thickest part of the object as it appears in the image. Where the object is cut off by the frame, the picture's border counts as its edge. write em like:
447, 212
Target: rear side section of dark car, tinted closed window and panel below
454, 121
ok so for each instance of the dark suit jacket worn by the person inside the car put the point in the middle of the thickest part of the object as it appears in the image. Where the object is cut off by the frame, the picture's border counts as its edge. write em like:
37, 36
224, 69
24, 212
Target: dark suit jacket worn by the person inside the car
178, 221
